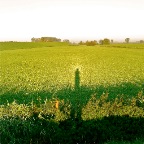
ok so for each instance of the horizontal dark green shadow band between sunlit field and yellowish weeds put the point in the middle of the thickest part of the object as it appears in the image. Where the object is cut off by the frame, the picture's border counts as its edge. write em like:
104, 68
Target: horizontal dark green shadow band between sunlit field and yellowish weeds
84, 93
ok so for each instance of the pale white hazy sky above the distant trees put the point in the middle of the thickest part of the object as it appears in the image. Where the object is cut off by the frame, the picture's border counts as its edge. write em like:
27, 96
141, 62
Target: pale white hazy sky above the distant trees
71, 19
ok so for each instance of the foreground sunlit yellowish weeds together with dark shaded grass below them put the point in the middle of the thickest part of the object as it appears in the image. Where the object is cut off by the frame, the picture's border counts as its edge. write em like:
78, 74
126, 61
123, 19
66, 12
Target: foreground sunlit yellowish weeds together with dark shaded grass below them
99, 121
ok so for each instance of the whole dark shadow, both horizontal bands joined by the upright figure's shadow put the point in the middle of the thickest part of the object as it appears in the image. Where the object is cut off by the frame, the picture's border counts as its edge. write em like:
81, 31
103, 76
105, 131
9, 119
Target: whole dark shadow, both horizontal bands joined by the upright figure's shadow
74, 129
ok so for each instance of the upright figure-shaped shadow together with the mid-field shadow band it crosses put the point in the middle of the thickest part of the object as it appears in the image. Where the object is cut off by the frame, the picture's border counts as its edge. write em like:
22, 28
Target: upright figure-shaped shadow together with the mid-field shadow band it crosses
76, 98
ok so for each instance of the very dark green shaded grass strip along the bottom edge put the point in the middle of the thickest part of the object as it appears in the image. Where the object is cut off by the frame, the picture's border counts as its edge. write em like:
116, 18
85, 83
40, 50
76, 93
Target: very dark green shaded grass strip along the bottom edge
42, 131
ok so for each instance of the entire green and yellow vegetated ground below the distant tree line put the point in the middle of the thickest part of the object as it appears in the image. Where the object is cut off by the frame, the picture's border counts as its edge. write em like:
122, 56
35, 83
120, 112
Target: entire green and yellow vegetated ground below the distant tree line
107, 106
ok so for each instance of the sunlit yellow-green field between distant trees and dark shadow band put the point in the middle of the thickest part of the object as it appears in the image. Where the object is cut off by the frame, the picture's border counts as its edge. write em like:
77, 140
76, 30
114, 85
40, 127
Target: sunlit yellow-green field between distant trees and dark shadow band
118, 70
